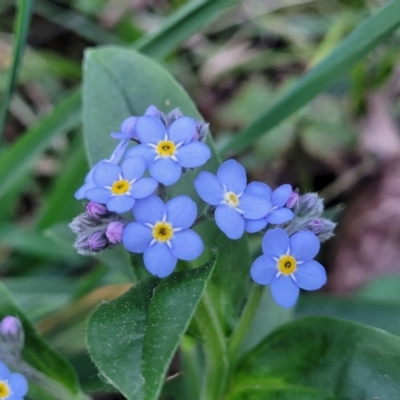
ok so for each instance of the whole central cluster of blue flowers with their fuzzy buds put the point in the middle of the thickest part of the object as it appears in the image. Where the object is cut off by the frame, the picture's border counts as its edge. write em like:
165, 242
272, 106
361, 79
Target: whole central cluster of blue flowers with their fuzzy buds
128, 204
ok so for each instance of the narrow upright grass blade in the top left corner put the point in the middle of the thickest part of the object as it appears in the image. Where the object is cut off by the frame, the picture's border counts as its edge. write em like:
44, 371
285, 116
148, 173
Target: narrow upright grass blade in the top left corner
21, 32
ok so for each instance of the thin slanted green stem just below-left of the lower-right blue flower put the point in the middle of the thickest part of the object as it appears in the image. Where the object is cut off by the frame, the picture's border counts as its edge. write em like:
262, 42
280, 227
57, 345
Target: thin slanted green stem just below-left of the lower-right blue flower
244, 322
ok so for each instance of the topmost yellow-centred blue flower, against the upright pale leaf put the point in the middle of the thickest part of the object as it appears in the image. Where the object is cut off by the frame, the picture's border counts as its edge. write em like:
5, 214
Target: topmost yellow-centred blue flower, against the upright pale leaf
167, 149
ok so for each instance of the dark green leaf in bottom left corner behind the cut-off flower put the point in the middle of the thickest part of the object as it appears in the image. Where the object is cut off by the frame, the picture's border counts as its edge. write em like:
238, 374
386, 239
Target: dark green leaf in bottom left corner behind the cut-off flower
39, 354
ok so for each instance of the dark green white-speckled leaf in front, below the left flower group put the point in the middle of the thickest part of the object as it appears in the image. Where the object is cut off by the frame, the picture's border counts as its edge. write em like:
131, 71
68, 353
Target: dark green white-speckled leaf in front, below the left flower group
132, 339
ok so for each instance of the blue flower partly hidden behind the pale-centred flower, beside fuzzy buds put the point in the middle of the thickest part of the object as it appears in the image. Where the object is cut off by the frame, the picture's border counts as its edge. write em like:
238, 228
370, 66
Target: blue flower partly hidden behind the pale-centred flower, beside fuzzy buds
277, 212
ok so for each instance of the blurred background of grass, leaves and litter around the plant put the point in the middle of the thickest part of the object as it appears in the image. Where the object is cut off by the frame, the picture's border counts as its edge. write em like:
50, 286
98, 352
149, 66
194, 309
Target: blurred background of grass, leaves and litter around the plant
235, 59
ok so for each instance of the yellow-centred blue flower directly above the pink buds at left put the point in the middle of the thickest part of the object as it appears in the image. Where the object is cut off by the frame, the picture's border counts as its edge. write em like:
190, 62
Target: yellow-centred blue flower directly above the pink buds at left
118, 187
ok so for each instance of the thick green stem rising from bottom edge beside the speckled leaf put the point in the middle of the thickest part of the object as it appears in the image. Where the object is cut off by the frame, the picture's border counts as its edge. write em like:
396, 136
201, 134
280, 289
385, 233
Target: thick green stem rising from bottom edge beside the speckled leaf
216, 372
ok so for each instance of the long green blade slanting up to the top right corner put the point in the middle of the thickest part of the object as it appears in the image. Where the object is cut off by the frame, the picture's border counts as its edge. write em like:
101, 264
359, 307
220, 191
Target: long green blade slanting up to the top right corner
357, 45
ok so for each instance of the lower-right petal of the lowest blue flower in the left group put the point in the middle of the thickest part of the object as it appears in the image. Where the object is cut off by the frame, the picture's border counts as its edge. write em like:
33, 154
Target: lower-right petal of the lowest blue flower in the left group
186, 245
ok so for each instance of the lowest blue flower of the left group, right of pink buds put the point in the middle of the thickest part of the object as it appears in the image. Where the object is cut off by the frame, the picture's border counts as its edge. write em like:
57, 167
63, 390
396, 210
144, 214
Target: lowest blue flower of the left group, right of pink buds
161, 233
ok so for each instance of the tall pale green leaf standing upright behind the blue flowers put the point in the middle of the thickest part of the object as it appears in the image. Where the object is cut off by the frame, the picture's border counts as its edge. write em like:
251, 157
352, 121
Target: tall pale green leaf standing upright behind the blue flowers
119, 83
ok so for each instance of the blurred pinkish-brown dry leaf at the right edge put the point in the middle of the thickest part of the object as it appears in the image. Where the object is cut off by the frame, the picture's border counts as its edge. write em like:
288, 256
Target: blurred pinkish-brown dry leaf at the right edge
367, 243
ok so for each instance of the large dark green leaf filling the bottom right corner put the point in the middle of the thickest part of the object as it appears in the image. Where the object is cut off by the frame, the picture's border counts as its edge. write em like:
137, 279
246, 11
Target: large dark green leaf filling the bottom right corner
341, 359
